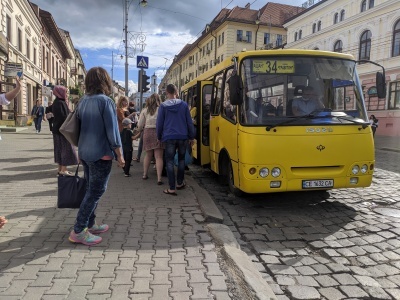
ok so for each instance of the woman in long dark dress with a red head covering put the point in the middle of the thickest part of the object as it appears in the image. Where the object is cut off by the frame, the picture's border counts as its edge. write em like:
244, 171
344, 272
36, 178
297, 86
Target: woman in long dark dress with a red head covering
64, 152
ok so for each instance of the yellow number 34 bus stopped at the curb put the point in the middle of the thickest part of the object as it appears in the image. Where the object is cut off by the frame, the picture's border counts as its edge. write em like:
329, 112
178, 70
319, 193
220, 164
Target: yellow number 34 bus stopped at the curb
283, 120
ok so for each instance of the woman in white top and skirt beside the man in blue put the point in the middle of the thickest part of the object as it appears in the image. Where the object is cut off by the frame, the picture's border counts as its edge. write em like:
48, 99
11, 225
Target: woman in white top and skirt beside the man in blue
152, 146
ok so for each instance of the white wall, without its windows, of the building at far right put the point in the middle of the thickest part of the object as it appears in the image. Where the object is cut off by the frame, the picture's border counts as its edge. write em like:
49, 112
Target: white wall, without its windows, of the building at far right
380, 20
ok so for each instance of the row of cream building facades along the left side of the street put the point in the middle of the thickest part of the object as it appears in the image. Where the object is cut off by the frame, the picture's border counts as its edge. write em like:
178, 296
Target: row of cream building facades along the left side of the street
30, 36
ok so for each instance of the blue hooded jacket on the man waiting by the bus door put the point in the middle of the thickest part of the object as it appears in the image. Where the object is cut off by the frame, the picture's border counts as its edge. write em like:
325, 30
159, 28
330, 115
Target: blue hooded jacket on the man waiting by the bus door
174, 121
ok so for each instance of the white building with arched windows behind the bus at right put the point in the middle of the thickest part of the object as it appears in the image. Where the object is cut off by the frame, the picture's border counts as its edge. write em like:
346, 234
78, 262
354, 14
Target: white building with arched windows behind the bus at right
367, 29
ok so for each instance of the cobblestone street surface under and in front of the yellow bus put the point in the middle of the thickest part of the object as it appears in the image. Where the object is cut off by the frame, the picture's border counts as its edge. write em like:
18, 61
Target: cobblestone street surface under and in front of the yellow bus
341, 244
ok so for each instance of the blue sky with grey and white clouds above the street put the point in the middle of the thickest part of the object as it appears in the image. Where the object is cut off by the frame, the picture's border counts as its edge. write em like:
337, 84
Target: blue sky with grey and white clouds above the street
163, 27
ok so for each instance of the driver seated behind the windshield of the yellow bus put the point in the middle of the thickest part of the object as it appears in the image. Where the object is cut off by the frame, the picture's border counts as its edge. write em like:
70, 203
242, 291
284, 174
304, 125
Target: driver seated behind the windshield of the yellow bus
307, 103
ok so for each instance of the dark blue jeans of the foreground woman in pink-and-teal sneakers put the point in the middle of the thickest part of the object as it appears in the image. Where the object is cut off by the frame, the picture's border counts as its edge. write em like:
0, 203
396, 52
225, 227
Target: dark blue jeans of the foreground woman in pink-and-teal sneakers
97, 174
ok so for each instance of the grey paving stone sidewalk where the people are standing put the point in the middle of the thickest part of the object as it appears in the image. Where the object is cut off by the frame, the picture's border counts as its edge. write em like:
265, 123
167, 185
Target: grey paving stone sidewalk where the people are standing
156, 248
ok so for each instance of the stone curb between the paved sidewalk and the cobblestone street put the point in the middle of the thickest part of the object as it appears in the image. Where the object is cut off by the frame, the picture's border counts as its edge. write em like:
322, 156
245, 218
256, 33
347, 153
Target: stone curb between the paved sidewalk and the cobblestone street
245, 275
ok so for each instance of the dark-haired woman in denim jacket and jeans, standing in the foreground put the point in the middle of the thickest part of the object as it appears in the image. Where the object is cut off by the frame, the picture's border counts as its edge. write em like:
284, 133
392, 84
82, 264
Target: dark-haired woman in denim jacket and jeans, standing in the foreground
99, 143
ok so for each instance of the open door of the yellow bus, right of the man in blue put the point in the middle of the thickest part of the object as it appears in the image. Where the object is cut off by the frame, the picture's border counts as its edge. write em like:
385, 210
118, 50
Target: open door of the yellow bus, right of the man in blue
201, 147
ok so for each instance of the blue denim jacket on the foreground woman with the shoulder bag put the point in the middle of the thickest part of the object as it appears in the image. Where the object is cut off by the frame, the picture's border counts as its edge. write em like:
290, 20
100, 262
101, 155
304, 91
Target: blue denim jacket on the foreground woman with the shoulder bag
99, 134
